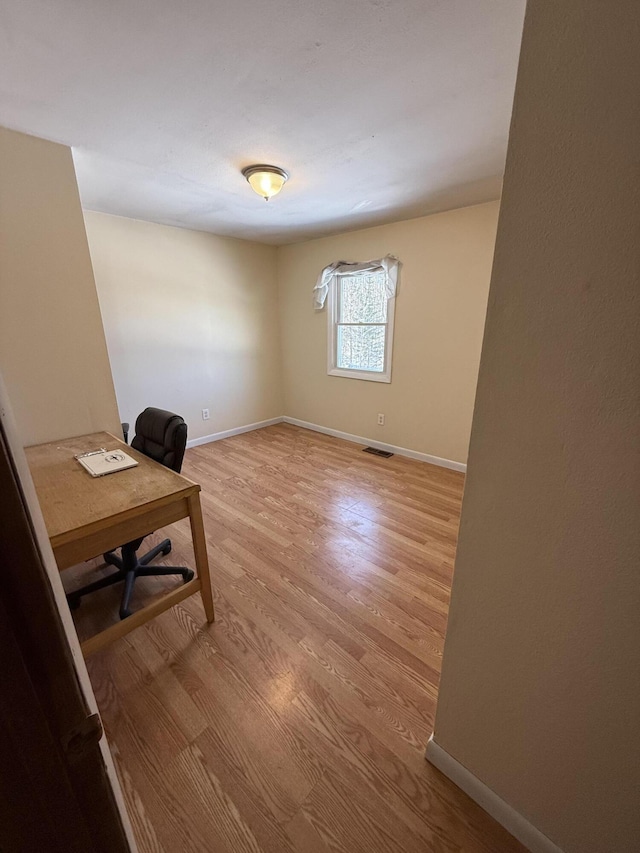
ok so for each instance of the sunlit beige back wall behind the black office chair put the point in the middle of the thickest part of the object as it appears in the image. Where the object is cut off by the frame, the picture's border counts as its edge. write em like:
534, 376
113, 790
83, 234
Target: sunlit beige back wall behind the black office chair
190, 320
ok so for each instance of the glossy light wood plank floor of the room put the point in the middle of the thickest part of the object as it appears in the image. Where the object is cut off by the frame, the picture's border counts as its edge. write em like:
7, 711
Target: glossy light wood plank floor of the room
298, 721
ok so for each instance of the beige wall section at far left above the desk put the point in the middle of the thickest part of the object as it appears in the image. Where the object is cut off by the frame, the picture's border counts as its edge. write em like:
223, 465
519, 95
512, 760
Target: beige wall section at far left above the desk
53, 355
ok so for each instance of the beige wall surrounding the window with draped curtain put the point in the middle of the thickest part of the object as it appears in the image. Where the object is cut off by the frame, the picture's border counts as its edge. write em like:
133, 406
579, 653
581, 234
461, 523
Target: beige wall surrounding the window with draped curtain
440, 310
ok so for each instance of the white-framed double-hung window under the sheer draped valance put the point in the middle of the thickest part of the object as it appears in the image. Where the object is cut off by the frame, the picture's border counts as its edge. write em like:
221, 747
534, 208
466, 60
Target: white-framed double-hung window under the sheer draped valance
360, 326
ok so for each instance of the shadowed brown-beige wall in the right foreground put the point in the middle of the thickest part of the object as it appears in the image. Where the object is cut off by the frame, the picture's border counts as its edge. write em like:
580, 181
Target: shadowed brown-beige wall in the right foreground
540, 688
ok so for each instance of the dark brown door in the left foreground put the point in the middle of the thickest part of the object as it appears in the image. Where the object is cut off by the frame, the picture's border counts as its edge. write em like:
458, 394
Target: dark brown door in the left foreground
56, 792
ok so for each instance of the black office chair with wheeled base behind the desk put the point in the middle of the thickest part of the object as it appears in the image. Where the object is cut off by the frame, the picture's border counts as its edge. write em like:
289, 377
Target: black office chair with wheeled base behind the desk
161, 436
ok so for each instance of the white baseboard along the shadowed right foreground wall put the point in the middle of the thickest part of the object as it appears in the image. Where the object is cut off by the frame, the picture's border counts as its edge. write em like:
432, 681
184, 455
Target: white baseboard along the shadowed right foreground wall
513, 821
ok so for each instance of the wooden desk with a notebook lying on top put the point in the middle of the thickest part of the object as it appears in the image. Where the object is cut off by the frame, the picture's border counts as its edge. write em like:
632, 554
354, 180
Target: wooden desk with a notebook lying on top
86, 516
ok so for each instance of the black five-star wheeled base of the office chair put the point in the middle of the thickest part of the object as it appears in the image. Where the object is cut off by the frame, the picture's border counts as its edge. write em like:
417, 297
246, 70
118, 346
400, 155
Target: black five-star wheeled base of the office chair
130, 567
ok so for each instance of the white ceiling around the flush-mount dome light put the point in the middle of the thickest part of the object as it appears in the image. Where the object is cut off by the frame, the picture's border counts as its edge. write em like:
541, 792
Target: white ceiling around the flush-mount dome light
379, 109
